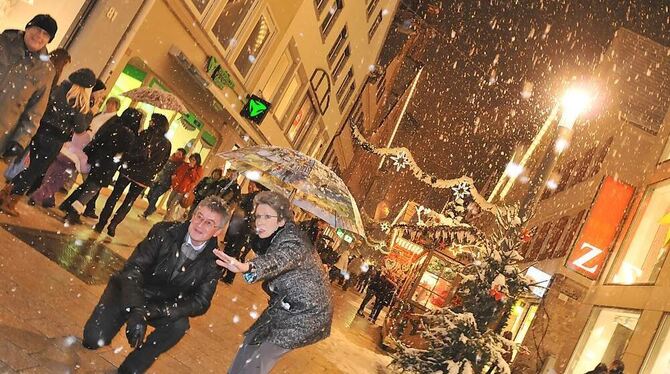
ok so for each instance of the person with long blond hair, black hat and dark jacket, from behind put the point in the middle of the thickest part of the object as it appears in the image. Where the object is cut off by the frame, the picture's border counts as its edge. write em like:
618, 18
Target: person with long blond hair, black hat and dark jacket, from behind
68, 112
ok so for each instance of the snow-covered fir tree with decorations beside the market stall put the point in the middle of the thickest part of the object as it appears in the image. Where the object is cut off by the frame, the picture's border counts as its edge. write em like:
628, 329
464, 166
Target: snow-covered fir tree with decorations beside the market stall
466, 337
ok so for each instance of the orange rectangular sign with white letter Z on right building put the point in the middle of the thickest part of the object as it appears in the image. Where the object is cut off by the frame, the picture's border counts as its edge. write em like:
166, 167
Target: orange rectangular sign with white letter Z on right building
599, 232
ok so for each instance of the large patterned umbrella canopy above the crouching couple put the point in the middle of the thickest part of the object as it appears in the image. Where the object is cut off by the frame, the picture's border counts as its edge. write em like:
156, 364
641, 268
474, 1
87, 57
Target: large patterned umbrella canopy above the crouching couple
311, 185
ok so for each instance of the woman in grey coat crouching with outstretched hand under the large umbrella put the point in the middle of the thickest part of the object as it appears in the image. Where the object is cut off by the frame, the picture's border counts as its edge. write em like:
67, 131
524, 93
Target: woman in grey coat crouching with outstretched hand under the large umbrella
300, 310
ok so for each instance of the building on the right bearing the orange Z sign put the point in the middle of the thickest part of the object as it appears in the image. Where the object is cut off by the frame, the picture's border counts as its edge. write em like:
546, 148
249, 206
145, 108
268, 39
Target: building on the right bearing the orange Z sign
601, 232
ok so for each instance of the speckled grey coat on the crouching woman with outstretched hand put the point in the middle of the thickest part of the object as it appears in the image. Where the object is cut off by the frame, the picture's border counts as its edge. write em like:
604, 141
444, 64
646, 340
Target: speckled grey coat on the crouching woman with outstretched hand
300, 309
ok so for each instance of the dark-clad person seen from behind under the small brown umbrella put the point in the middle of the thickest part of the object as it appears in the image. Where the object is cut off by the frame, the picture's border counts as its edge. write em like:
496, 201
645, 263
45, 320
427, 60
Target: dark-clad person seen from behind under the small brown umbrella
138, 168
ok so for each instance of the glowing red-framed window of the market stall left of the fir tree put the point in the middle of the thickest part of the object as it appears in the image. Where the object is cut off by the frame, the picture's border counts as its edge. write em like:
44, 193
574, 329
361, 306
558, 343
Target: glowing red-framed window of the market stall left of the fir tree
435, 285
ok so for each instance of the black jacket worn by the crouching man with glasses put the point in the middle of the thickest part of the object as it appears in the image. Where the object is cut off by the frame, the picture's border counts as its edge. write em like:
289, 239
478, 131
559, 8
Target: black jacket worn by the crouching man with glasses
145, 278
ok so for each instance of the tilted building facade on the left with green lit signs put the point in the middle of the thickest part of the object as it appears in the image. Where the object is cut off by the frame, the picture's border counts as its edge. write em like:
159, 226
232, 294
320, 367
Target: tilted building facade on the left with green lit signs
304, 59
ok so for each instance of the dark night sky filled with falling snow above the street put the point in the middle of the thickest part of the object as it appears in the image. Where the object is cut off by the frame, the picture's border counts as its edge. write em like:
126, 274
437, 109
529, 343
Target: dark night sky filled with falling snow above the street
468, 108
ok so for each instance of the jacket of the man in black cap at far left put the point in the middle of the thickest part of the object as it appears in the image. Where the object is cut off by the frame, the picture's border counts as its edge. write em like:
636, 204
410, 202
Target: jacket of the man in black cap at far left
25, 83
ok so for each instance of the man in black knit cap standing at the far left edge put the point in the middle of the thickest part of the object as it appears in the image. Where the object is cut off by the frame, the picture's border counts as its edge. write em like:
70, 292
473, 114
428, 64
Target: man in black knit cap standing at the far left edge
26, 75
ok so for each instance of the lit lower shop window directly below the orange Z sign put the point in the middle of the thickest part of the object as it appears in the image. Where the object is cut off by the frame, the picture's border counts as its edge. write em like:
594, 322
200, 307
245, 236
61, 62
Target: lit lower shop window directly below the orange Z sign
604, 339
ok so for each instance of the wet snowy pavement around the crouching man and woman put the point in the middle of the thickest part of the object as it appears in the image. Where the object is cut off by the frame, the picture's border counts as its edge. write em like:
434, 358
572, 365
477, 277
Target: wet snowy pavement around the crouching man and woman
51, 276
